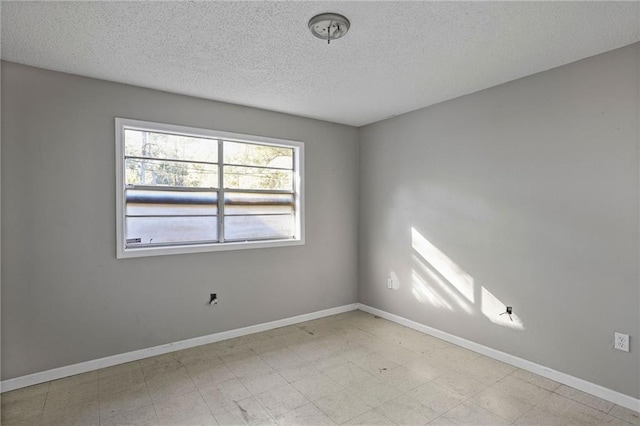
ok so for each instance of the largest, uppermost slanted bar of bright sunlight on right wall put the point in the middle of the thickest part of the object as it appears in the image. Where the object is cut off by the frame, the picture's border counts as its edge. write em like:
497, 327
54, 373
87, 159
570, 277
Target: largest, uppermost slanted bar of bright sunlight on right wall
446, 267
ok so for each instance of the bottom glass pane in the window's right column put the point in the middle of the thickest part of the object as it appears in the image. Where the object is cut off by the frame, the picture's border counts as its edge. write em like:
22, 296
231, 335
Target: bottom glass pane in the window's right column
258, 227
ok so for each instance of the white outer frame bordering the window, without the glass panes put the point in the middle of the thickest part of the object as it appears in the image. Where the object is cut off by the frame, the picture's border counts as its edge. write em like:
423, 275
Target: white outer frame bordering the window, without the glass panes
298, 183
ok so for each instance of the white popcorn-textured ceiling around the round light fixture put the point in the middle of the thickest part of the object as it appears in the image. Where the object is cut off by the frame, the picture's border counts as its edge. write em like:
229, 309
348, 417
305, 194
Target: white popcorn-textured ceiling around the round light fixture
397, 57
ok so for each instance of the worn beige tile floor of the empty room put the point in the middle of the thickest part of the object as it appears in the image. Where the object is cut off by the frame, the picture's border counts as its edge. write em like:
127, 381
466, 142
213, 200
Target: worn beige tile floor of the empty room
352, 368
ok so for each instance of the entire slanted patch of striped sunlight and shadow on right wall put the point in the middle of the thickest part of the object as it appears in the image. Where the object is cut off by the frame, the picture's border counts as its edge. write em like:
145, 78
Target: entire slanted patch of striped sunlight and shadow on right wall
439, 281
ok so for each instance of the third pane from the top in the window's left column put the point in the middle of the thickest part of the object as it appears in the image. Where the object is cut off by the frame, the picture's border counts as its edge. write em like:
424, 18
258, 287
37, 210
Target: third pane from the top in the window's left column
170, 203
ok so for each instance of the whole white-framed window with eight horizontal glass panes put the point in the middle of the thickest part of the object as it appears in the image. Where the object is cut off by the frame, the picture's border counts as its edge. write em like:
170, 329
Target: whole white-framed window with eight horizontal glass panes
185, 190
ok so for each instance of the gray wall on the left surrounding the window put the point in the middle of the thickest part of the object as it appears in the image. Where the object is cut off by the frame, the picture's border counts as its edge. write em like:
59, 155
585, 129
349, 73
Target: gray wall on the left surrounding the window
67, 299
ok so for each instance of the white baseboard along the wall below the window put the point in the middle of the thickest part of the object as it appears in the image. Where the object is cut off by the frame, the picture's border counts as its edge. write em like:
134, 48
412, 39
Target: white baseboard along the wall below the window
83, 367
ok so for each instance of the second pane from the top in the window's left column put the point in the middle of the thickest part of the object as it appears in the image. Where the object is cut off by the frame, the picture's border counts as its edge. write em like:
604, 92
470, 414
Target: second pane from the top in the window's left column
170, 173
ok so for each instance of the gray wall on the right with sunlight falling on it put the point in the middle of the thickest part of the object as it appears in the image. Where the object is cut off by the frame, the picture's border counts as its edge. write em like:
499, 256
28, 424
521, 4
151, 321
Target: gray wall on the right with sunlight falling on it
531, 191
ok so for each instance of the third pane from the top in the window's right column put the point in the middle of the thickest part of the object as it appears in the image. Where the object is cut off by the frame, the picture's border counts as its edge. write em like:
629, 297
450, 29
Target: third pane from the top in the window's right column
243, 203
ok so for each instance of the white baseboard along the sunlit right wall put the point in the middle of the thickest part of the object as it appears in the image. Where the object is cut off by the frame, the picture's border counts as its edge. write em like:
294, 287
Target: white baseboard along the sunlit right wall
566, 379
